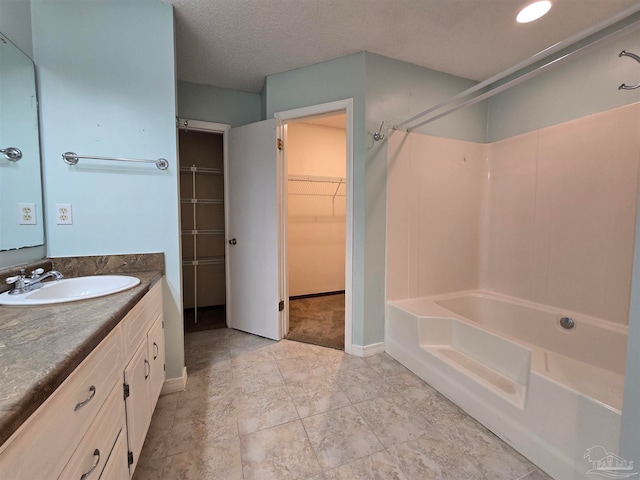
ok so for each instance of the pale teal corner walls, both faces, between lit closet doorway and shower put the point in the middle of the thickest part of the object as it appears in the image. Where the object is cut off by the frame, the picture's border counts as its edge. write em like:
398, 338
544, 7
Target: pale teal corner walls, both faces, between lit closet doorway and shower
382, 89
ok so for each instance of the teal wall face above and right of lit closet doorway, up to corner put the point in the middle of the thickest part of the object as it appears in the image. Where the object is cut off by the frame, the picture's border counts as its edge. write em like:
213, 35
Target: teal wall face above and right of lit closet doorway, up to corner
337, 79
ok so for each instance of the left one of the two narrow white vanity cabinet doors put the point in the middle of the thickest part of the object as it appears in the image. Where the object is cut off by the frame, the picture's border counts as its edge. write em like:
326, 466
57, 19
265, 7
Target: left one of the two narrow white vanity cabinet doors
138, 403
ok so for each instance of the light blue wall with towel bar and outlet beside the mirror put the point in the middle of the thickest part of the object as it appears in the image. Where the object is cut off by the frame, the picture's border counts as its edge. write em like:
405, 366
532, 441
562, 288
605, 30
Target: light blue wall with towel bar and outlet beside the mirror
107, 87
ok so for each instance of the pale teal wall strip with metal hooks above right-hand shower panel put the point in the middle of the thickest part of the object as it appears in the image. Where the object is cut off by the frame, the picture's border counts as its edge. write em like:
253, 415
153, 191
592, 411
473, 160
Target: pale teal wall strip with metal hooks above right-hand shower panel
583, 86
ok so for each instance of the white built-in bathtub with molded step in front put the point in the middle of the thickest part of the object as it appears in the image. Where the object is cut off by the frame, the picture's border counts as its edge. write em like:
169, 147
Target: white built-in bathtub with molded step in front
549, 391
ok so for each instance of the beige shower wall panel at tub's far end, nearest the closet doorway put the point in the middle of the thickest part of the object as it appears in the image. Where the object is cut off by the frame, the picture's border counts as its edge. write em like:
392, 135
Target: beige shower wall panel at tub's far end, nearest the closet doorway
436, 197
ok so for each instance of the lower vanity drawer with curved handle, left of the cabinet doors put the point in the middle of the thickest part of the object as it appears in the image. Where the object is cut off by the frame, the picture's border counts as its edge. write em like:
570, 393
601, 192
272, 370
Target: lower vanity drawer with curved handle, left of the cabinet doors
91, 456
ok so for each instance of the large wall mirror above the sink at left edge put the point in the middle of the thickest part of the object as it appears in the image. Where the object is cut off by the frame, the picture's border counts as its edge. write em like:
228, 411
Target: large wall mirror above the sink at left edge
21, 216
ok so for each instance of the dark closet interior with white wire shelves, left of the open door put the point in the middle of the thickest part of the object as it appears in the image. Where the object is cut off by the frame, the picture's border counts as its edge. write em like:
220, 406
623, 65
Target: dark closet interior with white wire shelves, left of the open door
203, 223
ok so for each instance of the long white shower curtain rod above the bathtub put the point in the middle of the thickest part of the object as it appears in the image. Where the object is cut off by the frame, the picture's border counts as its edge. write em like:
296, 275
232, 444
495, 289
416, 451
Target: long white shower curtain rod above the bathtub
527, 76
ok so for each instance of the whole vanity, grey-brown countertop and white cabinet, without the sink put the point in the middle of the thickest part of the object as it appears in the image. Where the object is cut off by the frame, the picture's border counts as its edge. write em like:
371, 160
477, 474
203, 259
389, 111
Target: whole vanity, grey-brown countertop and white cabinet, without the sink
79, 384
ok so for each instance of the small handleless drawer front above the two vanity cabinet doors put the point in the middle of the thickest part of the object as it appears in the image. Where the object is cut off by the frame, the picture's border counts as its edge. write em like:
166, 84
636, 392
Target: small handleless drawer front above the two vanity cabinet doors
138, 321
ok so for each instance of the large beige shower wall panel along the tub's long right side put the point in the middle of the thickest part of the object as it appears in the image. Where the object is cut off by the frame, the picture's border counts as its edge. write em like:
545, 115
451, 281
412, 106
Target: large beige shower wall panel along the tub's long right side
561, 216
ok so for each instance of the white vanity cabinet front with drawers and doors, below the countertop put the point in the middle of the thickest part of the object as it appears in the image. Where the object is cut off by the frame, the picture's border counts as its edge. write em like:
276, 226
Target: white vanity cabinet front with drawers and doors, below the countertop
93, 425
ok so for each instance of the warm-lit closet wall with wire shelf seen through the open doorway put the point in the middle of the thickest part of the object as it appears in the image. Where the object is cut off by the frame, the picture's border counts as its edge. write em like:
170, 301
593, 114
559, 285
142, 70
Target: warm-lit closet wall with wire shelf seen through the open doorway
316, 227
